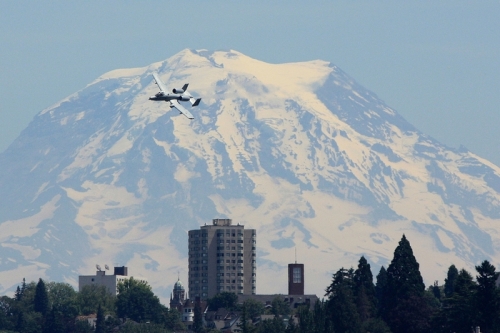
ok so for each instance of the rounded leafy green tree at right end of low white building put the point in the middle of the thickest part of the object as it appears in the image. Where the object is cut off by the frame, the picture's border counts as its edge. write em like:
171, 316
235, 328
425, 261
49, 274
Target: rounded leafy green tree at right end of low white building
136, 301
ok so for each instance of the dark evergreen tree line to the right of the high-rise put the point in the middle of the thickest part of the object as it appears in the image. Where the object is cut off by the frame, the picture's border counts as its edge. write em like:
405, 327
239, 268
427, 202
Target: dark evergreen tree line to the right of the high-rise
398, 302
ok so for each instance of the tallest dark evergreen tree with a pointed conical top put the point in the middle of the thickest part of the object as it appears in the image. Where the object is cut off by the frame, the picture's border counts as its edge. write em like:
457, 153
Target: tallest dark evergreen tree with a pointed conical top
405, 308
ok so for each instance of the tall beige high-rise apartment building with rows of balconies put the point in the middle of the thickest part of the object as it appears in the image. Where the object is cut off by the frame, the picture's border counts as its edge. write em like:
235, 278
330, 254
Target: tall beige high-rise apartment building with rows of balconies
222, 257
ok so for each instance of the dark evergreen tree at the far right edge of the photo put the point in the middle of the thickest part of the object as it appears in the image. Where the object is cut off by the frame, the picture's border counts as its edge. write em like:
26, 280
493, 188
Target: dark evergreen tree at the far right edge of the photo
488, 302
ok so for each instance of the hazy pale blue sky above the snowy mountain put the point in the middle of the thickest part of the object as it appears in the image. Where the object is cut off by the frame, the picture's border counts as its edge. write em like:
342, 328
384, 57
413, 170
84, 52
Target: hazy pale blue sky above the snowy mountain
437, 63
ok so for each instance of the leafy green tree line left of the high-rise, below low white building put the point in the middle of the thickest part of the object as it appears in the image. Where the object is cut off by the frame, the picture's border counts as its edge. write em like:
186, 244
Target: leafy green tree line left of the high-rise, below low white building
54, 307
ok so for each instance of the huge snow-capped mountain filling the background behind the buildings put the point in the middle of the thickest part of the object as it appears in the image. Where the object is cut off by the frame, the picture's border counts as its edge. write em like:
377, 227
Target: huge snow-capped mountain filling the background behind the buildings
298, 151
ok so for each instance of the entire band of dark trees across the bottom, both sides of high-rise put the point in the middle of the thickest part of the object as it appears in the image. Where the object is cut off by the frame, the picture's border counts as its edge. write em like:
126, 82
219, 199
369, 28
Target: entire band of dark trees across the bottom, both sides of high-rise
397, 302
